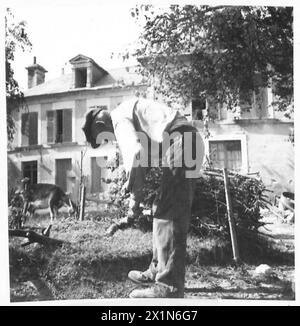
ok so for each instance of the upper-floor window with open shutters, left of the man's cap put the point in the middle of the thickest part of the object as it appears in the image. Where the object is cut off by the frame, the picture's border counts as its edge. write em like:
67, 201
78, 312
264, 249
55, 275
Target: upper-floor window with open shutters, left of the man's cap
59, 126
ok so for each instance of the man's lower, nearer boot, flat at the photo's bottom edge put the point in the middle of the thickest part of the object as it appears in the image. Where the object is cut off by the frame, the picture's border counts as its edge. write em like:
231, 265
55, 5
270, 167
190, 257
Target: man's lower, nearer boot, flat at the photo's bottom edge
155, 291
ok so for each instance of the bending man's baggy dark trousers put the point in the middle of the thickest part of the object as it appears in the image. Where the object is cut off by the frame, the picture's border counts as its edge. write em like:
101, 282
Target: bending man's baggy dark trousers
172, 212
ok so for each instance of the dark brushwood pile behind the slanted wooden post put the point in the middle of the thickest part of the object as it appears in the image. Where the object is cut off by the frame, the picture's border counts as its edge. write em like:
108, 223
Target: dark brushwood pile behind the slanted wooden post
248, 196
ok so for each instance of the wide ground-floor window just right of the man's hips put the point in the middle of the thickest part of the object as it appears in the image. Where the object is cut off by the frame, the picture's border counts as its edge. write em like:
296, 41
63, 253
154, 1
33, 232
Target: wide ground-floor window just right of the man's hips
226, 154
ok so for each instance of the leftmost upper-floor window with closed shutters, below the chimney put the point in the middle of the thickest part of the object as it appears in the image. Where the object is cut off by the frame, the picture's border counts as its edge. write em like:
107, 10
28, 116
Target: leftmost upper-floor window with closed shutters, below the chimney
29, 128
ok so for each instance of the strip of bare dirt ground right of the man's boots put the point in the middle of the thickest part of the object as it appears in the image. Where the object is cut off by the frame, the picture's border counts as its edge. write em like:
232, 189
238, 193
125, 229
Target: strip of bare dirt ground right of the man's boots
242, 284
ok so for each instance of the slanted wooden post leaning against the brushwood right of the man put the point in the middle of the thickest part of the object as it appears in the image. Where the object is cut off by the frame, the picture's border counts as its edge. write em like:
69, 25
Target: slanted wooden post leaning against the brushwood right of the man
235, 249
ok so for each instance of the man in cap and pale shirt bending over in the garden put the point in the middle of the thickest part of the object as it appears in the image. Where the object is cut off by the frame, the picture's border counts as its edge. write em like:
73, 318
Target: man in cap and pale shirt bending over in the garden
137, 123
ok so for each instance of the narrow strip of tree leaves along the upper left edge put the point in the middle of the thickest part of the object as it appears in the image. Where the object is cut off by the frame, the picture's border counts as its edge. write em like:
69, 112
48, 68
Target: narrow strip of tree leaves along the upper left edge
15, 37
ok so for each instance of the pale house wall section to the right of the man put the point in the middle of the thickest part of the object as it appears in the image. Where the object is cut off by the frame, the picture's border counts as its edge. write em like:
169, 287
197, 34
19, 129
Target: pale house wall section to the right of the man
252, 140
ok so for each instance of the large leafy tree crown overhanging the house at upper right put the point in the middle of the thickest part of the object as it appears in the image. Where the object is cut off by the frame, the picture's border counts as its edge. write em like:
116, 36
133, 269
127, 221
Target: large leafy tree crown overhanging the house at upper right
225, 52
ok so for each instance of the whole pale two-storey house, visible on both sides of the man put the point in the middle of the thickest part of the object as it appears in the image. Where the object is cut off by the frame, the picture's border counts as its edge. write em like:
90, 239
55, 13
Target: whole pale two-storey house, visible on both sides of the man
50, 147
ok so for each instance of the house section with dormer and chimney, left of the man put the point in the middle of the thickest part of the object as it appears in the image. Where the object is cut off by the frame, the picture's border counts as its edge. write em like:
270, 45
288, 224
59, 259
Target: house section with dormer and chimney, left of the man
49, 145
